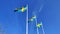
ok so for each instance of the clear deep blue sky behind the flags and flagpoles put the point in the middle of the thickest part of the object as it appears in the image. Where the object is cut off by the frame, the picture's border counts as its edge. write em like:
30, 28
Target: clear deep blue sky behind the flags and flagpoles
14, 23
